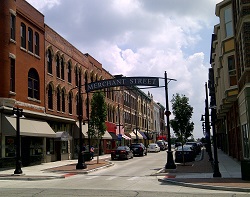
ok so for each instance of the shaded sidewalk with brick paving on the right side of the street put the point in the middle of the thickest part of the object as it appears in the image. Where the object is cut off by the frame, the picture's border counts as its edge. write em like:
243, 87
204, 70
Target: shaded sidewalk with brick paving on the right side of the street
199, 174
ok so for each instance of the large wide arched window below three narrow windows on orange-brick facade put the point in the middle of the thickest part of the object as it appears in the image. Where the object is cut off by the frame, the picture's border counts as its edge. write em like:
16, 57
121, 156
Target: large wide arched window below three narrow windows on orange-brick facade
33, 84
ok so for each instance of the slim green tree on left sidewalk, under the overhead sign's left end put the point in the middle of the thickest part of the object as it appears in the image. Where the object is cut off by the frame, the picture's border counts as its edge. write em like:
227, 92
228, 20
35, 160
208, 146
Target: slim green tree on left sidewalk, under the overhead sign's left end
98, 117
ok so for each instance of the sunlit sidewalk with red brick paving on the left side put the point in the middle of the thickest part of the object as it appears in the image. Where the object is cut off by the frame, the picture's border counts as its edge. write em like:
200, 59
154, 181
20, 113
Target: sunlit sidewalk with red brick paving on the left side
55, 170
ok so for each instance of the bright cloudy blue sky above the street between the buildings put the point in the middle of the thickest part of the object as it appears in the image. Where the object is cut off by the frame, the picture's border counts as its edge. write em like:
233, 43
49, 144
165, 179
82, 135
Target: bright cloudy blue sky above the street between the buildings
143, 38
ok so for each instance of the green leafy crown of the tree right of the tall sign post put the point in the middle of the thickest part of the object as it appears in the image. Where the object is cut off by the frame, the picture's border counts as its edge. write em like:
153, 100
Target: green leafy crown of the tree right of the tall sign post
182, 112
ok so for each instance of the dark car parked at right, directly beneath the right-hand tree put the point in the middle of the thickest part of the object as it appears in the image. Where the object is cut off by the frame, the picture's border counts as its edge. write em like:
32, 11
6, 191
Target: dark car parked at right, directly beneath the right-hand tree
189, 154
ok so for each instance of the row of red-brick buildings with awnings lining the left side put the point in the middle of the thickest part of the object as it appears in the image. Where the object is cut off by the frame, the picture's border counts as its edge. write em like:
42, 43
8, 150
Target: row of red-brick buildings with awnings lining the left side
40, 74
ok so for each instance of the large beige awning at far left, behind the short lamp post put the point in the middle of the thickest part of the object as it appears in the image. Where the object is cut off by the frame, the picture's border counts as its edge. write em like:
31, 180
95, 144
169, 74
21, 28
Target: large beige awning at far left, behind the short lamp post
28, 127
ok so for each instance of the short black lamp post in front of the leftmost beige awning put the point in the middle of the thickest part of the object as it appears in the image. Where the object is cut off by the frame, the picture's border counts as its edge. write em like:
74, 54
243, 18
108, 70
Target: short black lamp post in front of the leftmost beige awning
18, 112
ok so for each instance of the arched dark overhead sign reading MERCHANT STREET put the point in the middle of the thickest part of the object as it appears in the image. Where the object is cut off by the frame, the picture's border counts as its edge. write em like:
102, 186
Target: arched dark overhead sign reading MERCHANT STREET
124, 81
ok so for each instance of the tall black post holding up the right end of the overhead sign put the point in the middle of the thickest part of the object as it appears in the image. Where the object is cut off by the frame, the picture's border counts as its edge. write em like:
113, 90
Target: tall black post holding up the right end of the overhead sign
170, 161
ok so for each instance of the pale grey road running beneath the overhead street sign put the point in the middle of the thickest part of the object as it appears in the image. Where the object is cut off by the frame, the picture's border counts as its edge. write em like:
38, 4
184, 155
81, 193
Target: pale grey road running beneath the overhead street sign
132, 177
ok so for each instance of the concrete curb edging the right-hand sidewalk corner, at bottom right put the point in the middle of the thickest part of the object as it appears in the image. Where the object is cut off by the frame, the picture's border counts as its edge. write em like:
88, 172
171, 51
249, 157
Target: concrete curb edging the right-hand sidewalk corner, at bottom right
201, 186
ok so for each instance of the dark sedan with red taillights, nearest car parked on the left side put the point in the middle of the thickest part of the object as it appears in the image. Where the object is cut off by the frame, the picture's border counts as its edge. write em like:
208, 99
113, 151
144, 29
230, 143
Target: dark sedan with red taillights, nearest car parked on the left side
122, 152
